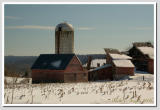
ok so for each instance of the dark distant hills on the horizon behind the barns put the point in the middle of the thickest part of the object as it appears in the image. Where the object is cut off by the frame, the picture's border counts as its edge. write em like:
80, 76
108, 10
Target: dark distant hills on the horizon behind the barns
22, 64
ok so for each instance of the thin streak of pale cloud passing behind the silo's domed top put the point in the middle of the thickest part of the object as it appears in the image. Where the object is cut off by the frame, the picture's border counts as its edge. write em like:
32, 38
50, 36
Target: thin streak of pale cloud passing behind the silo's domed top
41, 27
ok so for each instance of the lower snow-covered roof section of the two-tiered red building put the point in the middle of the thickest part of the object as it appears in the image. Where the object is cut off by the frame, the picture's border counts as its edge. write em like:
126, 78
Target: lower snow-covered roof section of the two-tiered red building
123, 63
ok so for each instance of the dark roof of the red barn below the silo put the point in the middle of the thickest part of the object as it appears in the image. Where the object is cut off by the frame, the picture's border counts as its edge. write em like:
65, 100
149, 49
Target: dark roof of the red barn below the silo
52, 61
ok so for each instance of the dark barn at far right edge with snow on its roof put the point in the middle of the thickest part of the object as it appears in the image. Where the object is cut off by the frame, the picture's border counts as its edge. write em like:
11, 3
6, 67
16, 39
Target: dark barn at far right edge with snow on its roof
143, 56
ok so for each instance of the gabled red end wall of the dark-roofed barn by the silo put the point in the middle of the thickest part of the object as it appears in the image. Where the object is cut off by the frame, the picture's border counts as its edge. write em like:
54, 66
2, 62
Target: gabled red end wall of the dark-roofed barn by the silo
75, 72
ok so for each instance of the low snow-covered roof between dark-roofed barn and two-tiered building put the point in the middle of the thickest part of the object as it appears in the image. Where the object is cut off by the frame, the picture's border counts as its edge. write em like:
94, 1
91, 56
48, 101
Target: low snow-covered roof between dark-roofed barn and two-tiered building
95, 61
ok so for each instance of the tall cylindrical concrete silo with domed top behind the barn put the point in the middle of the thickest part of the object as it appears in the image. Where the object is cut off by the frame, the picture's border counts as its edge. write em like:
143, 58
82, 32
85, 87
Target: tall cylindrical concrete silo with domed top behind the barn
64, 38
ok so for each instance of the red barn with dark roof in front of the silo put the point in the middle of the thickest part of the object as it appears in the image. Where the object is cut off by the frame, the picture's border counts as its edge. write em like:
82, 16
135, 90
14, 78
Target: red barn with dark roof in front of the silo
58, 68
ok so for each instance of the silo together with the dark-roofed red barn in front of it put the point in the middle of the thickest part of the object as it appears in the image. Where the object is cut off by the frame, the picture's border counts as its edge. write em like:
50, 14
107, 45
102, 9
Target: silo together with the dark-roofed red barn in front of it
64, 66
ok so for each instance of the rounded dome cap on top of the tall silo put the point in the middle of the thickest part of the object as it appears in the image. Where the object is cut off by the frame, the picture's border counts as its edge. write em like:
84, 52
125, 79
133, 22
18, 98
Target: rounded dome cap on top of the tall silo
64, 27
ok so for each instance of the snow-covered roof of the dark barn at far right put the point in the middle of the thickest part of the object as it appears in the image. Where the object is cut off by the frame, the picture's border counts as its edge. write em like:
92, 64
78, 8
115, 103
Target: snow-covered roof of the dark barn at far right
147, 51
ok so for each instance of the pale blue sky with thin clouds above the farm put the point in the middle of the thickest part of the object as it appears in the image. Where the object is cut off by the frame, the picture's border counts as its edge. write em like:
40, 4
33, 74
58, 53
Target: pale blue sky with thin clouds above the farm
29, 29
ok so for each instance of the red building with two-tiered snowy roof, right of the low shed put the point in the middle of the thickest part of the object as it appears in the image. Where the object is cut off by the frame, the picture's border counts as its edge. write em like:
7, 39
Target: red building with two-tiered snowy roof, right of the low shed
121, 64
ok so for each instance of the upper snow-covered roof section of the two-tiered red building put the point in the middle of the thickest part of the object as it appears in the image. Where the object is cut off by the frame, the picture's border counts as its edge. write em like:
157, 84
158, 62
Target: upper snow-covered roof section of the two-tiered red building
119, 56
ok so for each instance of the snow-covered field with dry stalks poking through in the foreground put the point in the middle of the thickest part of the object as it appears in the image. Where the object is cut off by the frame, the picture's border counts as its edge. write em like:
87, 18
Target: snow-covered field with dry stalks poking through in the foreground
135, 91
